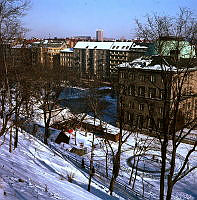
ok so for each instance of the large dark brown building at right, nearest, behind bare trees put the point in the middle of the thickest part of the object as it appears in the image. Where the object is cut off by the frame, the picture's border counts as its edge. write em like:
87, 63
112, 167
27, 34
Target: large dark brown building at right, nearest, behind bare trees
141, 89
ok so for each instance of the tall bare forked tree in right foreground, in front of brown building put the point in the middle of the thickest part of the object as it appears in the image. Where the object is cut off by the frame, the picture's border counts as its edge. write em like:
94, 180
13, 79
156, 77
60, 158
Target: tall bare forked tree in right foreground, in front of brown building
182, 28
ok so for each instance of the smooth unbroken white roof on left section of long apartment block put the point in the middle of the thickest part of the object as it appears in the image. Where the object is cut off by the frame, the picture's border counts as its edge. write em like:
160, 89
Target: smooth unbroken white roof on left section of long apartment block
93, 45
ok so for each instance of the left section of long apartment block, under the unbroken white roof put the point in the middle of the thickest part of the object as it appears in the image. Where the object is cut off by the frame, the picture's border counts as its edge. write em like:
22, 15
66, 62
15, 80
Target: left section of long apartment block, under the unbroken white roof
92, 59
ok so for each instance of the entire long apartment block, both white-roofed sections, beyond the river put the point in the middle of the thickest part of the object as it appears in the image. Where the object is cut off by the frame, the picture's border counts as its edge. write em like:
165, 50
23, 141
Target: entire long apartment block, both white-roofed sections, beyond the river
100, 58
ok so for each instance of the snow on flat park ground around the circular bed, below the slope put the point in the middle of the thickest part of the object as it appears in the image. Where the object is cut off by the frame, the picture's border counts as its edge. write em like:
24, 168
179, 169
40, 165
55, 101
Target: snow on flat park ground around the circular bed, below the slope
184, 189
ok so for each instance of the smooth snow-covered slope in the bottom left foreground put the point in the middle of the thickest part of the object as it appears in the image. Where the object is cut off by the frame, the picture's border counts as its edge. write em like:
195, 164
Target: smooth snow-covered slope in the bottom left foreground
33, 171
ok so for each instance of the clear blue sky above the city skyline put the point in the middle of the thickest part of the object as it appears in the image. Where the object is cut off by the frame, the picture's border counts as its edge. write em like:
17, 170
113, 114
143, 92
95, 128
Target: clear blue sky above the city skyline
65, 18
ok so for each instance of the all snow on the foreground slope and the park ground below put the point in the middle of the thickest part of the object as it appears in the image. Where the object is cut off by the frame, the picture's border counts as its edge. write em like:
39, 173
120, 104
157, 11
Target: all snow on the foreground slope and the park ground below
34, 171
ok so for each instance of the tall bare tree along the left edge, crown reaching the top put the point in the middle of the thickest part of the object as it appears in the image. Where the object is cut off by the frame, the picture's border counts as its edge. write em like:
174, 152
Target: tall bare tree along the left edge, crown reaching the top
11, 12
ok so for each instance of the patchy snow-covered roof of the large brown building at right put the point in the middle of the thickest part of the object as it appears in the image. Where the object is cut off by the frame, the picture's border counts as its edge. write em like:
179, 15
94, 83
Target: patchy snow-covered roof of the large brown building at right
145, 64
